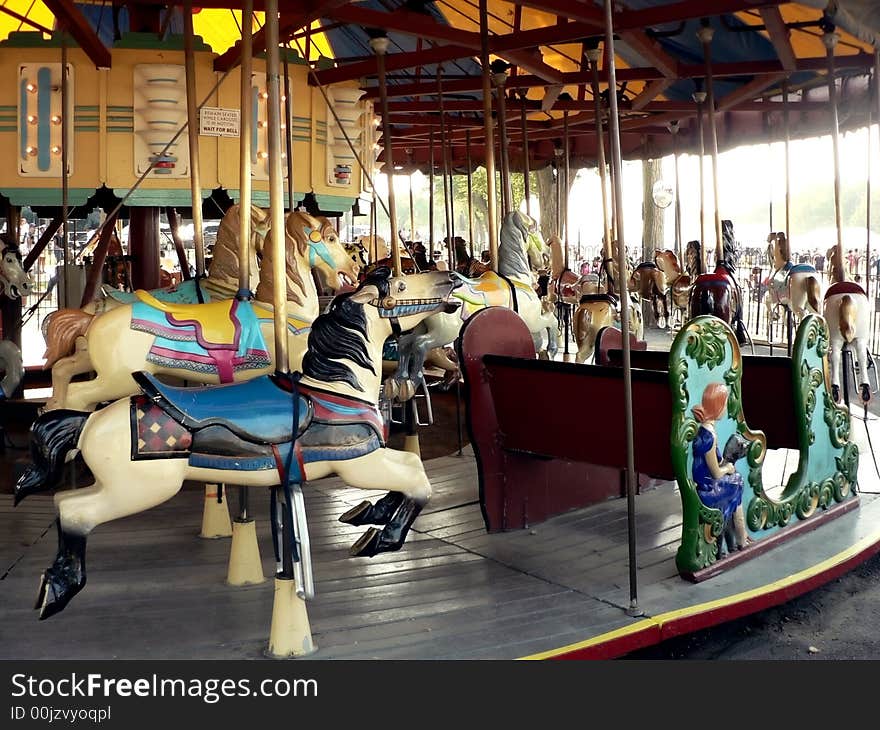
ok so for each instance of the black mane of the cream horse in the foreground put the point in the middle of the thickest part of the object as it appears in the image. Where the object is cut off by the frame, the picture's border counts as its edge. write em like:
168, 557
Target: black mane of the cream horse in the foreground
340, 334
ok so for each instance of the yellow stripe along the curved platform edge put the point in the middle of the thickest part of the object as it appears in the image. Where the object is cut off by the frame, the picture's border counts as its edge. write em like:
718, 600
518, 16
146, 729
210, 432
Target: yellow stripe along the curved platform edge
671, 616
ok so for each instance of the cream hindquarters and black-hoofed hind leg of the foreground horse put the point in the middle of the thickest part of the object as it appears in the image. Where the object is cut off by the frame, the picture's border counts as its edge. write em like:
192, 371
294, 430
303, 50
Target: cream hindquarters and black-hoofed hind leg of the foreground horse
122, 487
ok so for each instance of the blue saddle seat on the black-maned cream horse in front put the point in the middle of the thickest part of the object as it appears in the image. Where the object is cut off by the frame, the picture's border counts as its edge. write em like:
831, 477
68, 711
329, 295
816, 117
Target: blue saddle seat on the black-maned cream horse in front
258, 410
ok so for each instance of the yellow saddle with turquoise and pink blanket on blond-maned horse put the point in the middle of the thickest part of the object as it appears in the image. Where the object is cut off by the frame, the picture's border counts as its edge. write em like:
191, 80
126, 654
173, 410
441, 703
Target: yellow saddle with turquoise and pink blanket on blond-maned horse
219, 338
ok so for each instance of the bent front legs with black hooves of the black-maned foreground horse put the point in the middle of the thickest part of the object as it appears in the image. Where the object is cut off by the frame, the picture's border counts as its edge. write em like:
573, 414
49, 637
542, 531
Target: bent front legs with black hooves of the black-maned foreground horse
400, 472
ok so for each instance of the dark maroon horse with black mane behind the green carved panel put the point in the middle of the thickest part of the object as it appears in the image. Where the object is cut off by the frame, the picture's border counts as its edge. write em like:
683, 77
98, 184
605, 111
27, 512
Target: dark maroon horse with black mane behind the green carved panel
719, 293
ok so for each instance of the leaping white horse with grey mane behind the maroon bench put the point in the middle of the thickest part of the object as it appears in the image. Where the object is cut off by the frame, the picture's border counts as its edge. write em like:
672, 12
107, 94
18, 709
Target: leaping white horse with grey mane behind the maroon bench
513, 286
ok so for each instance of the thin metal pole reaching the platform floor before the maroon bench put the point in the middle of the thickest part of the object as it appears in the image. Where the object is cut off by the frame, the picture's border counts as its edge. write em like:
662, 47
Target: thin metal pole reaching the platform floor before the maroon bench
616, 163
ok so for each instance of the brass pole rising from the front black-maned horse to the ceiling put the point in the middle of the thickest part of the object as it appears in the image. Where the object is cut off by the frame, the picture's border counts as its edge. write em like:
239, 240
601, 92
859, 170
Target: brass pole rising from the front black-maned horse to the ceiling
276, 187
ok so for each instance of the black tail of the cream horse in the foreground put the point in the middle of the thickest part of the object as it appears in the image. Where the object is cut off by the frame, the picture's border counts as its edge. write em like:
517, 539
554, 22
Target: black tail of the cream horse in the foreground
53, 435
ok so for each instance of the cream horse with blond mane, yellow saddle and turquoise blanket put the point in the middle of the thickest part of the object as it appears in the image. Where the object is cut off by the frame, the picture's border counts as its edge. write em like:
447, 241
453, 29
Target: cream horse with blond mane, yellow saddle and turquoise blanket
221, 341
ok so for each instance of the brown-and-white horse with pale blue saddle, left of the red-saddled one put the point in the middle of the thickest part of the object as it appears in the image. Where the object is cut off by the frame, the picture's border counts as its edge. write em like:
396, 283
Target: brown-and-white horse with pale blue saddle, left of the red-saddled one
795, 287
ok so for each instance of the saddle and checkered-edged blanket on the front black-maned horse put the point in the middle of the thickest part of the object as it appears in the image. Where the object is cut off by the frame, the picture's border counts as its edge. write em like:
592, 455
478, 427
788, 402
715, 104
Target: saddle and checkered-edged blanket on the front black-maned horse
249, 426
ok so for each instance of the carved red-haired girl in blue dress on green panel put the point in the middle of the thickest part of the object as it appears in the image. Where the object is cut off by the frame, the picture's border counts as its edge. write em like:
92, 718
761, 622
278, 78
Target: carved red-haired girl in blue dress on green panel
719, 485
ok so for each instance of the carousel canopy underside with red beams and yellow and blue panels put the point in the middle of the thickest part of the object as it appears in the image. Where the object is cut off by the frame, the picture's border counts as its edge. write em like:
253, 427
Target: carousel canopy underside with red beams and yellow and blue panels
758, 48
